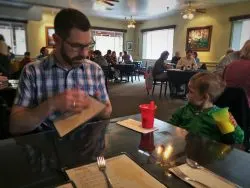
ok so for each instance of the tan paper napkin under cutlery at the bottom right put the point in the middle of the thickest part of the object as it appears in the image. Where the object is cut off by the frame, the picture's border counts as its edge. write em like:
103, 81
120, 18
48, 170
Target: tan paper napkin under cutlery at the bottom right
204, 176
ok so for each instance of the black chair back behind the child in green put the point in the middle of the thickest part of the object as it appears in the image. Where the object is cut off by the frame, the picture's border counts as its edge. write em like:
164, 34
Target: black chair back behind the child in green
236, 100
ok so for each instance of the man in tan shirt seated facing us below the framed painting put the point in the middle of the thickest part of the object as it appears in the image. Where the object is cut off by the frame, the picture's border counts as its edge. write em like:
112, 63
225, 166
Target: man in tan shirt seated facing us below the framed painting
187, 62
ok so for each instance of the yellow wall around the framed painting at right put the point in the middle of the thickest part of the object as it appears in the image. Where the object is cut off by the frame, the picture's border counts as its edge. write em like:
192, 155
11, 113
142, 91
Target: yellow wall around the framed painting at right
218, 17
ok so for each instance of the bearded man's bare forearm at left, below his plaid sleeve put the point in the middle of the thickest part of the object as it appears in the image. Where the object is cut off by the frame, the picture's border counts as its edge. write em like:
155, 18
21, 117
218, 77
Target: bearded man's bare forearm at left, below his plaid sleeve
23, 120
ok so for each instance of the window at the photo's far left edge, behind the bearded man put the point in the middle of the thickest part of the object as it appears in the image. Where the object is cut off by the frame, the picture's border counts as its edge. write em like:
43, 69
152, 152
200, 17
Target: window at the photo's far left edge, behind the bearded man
15, 36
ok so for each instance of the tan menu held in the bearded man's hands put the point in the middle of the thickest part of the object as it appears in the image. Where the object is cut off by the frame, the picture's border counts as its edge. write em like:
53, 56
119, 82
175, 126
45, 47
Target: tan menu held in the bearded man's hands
65, 125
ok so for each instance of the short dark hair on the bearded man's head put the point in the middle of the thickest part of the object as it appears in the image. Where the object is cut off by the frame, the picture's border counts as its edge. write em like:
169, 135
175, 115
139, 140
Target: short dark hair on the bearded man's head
68, 19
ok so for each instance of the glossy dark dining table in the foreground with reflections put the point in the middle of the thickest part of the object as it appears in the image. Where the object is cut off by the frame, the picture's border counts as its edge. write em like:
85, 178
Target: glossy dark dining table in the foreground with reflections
40, 160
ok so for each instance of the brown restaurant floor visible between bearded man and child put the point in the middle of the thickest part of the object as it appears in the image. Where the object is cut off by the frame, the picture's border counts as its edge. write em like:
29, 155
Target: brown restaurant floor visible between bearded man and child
126, 98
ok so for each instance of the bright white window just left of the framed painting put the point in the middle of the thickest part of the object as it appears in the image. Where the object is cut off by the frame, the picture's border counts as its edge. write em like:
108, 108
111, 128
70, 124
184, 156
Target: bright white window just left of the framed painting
155, 42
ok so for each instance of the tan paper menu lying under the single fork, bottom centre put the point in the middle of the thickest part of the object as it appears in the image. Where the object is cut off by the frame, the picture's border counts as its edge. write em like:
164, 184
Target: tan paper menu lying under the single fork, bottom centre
122, 171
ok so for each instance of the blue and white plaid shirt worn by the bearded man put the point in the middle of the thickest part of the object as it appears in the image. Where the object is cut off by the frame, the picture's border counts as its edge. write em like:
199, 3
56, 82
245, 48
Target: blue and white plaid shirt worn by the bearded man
44, 79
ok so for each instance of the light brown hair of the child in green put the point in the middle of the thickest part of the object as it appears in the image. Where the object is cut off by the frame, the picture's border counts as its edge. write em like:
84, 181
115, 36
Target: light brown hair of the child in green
208, 83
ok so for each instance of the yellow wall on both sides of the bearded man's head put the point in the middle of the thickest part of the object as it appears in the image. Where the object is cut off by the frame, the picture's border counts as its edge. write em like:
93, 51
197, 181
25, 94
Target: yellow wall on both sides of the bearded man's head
36, 30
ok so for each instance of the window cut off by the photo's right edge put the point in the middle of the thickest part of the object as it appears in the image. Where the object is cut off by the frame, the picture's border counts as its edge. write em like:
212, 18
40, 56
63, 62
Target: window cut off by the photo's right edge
240, 33
